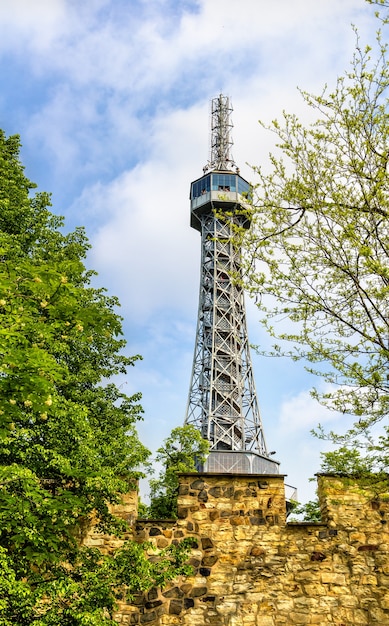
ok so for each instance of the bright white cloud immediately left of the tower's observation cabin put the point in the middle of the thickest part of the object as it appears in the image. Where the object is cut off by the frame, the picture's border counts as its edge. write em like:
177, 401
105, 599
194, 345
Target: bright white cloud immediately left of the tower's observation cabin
145, 243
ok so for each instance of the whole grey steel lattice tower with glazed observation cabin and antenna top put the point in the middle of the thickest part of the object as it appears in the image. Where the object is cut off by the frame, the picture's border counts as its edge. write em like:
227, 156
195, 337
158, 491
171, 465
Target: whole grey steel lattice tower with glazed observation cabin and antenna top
222, 400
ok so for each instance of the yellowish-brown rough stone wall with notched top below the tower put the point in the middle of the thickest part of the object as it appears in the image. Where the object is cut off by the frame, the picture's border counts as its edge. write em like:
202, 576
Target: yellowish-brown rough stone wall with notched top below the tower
252, 568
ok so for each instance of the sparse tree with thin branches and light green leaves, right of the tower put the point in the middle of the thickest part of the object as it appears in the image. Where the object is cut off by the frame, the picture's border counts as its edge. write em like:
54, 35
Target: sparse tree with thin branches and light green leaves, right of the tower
317, 254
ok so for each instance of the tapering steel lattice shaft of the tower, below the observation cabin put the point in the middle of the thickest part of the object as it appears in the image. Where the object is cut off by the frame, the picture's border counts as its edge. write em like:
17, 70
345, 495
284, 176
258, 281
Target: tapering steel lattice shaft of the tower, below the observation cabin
222, 400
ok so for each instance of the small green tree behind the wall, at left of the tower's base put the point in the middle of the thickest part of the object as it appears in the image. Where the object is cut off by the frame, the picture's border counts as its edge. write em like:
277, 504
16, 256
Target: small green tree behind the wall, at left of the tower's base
182, 451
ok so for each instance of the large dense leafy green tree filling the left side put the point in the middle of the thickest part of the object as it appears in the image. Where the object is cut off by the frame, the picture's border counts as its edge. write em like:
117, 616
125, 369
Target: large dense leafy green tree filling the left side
69, 446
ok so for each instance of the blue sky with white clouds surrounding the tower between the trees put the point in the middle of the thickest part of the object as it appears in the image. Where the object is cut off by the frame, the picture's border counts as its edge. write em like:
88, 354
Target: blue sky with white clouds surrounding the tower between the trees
111, 99
